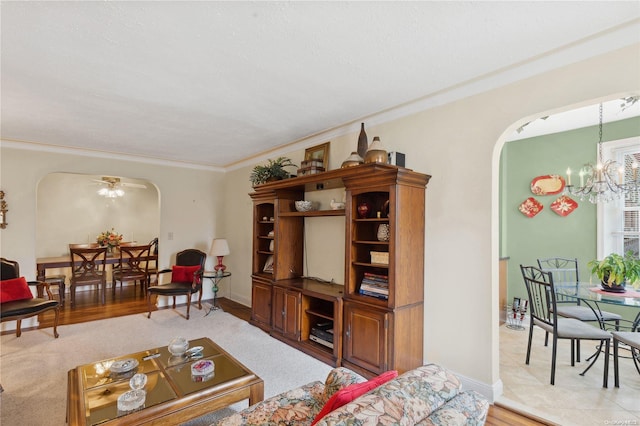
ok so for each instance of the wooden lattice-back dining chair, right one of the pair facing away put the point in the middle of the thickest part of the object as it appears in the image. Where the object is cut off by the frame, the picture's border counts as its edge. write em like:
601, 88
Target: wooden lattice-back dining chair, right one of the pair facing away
133, 266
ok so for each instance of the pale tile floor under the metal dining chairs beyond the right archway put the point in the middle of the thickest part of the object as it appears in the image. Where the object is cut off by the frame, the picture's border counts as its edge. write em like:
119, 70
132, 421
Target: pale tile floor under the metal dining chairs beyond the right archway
574, 400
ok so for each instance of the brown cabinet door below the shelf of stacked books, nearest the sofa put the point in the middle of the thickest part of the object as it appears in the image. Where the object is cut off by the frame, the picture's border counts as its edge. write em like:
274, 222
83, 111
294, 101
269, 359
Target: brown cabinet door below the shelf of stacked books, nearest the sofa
365, 337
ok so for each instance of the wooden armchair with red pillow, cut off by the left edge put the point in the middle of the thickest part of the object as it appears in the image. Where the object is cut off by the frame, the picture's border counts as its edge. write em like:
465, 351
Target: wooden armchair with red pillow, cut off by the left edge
17, 301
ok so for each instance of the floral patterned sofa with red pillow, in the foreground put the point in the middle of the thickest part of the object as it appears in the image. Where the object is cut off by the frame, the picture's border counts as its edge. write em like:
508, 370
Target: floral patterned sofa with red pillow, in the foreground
427, 395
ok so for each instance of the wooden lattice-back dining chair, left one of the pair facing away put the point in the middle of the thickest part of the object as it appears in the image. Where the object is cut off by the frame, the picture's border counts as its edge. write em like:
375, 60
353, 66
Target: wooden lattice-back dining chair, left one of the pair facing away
88, 265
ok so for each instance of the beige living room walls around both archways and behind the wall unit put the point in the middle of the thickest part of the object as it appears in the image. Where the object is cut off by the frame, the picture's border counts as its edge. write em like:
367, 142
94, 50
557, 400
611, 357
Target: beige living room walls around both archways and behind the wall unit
458, 144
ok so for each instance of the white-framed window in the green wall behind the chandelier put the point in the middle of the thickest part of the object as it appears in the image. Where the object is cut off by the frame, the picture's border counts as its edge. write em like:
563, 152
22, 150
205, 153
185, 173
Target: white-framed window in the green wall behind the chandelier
619, 221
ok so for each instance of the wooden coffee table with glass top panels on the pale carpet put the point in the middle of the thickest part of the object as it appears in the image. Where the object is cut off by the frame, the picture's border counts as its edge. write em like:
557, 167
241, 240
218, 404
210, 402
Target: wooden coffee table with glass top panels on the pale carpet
173, 394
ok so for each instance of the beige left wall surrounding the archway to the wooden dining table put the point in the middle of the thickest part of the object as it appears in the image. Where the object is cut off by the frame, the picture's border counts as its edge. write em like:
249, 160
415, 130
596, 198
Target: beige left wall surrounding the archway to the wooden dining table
189, 202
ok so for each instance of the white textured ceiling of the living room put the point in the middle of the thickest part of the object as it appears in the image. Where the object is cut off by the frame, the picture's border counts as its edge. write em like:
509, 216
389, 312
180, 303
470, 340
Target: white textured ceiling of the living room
214, 83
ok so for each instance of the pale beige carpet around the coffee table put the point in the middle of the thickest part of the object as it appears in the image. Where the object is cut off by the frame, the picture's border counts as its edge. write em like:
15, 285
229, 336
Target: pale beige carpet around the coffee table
33, 368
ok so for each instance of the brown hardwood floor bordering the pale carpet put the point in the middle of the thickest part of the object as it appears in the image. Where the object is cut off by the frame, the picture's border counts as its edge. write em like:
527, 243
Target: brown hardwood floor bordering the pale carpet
129, 301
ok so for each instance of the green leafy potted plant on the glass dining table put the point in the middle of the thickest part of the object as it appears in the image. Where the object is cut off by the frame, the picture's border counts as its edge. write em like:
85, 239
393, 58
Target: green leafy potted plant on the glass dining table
615, 271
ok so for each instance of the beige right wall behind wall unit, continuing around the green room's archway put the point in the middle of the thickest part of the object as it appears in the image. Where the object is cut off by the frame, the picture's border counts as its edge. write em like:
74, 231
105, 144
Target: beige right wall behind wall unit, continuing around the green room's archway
459, 145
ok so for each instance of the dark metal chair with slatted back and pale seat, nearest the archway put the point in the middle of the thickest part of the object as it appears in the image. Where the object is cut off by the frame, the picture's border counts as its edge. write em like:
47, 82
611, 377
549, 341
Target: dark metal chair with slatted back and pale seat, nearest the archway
544, 314
